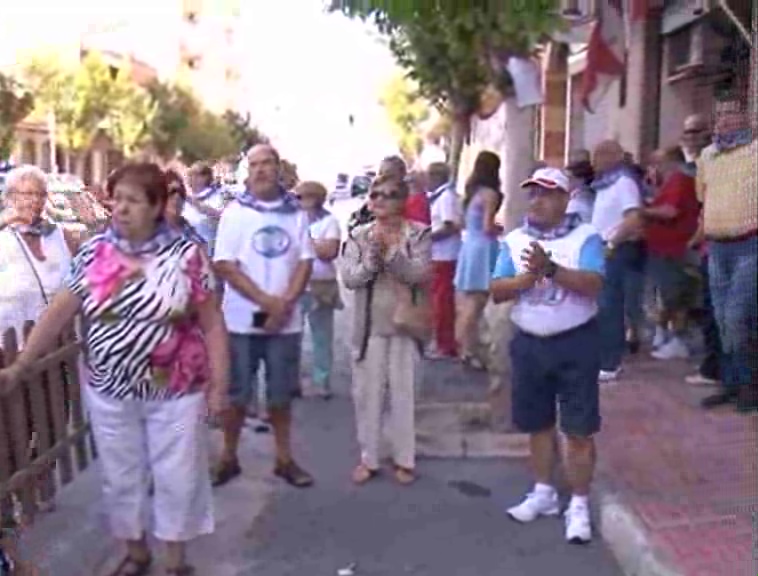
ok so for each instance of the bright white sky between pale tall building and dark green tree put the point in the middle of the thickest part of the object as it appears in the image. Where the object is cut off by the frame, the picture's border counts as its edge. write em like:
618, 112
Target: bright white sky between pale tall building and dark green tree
315, 70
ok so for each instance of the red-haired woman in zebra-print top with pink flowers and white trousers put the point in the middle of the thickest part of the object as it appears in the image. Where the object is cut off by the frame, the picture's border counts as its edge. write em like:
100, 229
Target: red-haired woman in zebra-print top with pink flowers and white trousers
157, 355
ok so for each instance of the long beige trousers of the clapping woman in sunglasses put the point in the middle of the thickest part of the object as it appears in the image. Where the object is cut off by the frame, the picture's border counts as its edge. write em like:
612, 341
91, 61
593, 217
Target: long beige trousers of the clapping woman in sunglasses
390, 365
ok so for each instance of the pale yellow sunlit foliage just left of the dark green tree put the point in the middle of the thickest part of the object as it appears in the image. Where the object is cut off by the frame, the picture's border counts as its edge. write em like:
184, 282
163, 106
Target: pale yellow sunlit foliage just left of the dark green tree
406, 111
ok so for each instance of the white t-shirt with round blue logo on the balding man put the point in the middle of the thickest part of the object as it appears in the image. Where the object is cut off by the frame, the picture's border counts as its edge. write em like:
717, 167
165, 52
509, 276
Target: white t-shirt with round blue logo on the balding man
268, 246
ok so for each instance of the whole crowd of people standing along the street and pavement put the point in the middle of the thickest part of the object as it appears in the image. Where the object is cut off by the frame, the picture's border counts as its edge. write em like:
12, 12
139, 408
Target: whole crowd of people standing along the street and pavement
187, 291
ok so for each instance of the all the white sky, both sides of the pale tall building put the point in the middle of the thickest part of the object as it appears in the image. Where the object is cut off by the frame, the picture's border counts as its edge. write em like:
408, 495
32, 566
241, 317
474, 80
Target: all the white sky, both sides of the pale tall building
305, 71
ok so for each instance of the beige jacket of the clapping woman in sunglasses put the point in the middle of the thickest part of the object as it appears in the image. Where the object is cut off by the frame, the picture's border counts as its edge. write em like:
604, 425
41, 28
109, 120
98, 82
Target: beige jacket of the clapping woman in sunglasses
380, 283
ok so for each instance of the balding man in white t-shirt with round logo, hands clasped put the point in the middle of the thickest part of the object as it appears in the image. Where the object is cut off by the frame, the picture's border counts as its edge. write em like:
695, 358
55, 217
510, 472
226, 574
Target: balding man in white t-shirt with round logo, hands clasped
264, 254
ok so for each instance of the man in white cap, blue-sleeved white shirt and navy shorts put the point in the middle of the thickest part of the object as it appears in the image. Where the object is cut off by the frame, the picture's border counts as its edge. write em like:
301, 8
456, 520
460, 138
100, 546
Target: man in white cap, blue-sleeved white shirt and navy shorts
552, 268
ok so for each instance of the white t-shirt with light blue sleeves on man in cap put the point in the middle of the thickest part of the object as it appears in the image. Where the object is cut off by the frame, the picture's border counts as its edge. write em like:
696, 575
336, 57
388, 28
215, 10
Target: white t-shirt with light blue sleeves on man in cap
548, 308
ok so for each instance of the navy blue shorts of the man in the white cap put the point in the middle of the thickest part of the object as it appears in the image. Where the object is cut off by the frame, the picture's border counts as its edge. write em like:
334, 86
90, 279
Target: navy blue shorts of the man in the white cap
559, 373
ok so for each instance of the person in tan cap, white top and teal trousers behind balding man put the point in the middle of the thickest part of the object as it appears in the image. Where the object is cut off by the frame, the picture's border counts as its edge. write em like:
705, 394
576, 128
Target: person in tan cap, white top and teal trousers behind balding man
323, 295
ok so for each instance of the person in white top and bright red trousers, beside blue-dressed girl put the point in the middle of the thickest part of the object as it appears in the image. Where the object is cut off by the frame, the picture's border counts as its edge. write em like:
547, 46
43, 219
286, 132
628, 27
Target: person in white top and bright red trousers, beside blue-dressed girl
447, 215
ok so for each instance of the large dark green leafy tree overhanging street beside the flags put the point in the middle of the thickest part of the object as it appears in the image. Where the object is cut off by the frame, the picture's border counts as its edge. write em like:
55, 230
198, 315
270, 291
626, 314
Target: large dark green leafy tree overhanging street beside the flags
454, 49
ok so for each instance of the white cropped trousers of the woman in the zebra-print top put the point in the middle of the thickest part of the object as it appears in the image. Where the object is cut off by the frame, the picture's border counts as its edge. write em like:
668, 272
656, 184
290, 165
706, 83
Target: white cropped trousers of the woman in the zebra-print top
168, 439
